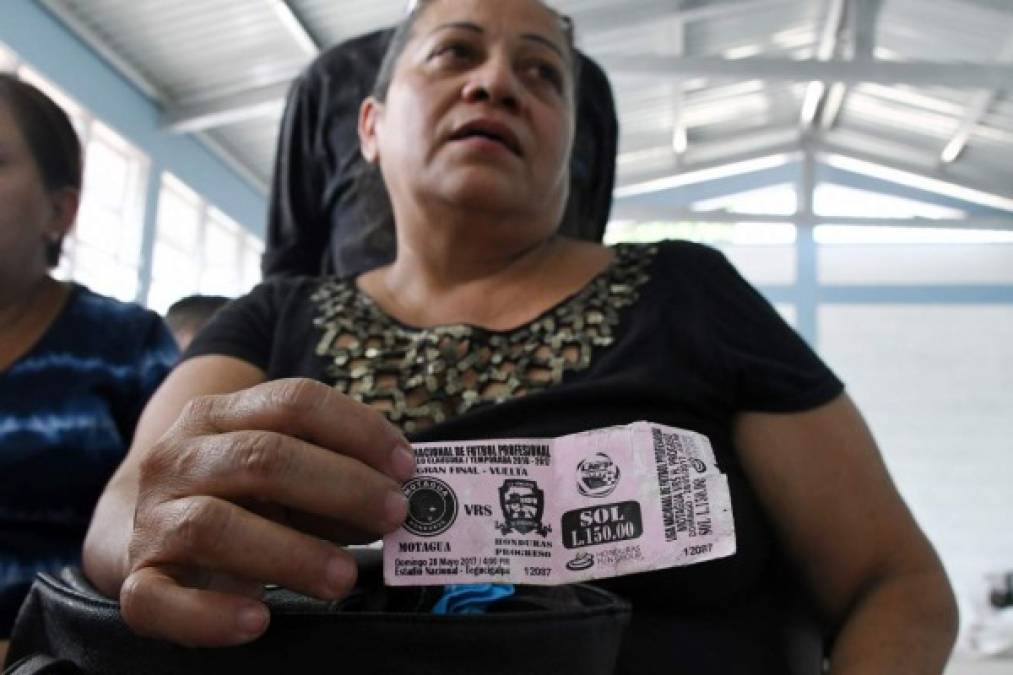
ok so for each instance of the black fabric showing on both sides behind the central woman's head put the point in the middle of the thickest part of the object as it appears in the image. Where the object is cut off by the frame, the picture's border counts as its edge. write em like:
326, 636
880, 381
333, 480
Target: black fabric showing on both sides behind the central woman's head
330, 212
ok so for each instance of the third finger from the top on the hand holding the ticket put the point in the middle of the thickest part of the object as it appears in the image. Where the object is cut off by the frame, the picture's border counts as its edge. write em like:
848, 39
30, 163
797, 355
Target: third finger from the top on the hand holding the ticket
212, 535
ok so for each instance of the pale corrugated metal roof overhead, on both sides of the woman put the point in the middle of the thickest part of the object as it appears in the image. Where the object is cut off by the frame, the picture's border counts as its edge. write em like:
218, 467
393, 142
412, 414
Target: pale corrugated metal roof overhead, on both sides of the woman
216, 53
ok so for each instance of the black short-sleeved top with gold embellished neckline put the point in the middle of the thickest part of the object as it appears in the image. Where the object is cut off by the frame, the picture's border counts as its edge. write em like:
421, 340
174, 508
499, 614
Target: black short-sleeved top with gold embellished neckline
670, 333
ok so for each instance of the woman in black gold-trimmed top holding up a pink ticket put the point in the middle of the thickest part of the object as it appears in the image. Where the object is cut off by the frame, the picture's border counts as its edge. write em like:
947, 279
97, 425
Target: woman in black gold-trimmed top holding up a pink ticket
282, 435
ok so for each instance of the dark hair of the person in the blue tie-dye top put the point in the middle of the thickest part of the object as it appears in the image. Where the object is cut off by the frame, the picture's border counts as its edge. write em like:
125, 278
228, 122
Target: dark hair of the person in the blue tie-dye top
51, 139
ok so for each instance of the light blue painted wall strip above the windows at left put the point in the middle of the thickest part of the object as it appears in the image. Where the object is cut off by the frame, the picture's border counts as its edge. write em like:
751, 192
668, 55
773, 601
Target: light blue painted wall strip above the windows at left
48, 47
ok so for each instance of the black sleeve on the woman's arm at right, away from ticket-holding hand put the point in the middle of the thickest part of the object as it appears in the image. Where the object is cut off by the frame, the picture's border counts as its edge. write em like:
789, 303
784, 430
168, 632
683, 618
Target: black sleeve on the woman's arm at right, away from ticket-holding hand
773, 369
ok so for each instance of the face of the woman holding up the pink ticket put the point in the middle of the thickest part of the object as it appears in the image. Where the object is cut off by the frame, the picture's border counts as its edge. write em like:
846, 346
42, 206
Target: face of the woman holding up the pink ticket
480, 113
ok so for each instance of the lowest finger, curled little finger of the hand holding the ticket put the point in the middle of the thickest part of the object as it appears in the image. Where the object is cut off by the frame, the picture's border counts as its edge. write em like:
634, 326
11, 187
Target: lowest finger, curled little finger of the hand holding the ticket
155, 606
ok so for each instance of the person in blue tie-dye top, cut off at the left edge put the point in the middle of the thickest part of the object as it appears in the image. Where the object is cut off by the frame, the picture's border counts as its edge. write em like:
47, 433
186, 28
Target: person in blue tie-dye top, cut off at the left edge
76, 368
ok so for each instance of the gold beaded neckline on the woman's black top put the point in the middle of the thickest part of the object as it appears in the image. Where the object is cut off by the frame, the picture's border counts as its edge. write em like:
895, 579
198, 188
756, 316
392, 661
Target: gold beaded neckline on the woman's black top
419, 378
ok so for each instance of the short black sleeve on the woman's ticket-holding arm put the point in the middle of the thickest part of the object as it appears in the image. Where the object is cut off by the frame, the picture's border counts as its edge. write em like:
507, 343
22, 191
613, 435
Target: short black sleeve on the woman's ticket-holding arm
246, 328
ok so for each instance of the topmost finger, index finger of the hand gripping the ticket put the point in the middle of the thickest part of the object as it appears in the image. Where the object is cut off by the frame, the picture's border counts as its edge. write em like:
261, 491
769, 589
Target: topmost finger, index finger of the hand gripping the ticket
311, 412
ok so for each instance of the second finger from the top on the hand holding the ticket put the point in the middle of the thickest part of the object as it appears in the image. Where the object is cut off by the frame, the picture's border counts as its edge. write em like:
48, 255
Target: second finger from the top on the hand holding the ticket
267, 467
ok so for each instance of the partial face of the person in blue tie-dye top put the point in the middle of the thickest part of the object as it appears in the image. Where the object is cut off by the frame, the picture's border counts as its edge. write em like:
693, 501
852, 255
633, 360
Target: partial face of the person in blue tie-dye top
29, 212
